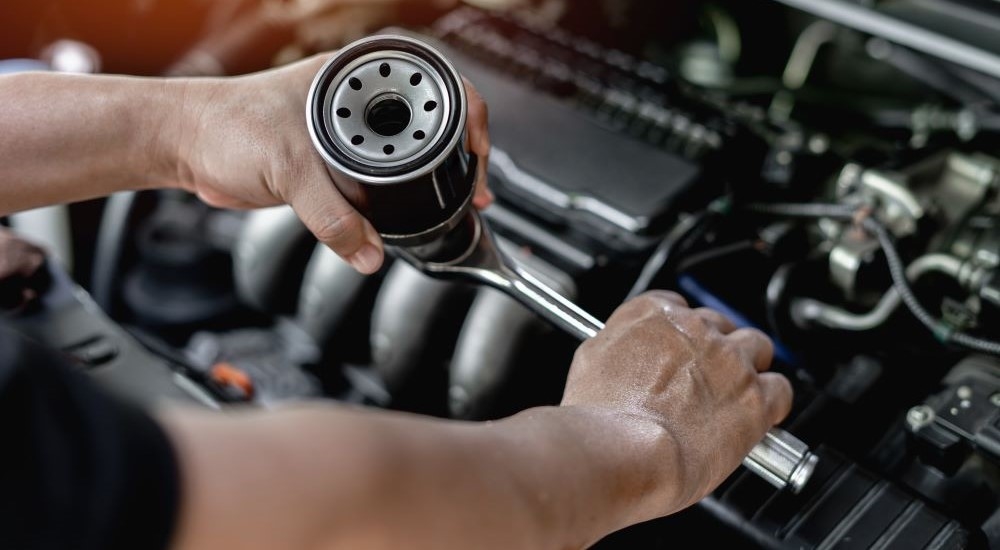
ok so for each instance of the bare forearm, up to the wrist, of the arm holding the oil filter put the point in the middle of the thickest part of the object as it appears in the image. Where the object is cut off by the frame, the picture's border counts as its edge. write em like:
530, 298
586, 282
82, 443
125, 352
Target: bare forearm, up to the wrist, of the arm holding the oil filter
66, 138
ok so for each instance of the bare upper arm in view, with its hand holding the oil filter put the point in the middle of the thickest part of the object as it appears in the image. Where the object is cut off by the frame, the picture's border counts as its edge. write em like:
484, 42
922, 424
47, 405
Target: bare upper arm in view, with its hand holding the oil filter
237, 143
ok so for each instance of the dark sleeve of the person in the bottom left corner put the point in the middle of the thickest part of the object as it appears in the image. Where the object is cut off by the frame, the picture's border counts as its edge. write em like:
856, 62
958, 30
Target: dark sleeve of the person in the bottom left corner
78, 468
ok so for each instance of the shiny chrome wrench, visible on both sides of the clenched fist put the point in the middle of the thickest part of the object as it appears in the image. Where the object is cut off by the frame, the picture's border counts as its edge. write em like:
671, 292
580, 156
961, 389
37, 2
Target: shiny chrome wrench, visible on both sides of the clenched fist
780, 458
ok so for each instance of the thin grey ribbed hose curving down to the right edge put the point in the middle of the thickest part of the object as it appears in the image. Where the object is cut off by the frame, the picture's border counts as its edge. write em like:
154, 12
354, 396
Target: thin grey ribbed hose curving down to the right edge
897, 269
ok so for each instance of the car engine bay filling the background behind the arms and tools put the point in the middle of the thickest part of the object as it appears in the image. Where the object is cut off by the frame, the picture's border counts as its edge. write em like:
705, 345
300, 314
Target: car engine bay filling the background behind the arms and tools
824, 170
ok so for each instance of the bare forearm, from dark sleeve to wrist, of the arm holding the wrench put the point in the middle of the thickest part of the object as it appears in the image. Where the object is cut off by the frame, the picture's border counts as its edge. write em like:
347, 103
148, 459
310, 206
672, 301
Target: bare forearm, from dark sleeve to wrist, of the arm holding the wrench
331, 477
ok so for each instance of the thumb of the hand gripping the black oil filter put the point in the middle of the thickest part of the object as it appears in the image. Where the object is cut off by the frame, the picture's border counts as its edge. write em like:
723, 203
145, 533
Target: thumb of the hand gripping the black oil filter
337, 224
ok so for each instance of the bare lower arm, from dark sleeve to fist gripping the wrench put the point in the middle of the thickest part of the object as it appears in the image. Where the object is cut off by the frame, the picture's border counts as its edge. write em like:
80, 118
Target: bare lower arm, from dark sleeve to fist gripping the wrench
658, 410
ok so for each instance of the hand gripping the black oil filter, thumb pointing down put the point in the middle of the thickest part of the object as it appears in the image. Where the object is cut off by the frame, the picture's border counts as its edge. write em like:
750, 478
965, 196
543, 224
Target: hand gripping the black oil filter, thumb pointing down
244, 143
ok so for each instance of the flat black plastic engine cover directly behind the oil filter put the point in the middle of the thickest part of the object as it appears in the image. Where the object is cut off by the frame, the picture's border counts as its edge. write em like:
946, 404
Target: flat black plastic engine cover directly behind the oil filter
562, 163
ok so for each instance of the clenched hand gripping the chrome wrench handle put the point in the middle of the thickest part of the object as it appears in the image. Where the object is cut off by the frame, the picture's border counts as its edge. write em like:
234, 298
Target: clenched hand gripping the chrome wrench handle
690, 377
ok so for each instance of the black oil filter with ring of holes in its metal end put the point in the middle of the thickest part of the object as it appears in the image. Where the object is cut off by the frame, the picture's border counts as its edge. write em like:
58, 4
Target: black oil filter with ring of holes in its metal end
387, 114
